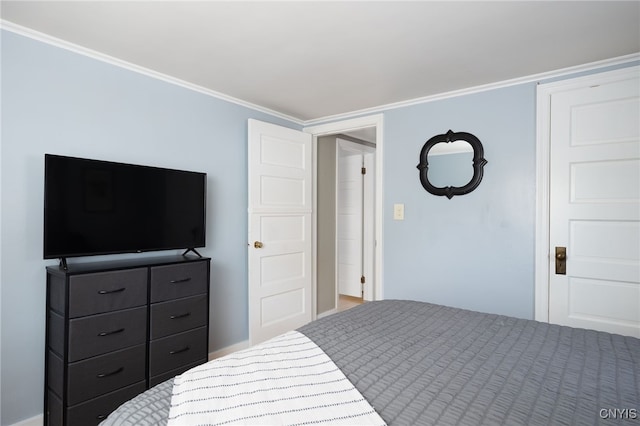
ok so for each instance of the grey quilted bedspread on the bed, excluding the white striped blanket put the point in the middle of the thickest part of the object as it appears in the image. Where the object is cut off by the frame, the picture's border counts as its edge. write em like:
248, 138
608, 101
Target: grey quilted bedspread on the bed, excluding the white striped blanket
417, 363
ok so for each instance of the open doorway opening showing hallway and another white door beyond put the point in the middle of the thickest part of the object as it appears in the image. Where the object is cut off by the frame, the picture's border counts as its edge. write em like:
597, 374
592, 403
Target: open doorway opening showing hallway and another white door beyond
345, 220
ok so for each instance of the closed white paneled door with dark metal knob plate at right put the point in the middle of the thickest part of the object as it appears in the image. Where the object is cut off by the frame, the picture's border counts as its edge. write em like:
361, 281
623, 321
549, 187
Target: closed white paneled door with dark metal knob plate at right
594, 200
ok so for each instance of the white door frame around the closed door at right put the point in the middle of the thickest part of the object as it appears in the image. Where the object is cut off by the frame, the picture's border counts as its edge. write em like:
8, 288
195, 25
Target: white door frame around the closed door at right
543, 152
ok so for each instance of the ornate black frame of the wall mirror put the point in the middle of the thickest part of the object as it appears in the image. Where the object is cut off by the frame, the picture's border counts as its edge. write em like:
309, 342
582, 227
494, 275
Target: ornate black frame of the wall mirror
478, 164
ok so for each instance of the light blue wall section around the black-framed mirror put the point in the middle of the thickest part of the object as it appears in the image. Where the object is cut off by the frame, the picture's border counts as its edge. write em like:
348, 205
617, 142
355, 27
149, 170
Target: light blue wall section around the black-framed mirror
473, 251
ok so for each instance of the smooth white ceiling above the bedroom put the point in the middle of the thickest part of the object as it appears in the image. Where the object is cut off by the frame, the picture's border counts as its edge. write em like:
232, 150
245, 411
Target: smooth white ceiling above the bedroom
309, 60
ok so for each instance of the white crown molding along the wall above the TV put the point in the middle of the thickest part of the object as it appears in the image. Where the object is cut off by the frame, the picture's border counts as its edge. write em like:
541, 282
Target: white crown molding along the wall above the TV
45, 38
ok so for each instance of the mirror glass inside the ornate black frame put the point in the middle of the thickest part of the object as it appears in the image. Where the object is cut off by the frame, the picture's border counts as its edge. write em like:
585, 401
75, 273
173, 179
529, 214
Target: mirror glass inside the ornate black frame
450, 164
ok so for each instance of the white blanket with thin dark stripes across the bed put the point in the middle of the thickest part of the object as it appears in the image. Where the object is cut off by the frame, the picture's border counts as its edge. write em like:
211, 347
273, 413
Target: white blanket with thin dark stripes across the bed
287, 380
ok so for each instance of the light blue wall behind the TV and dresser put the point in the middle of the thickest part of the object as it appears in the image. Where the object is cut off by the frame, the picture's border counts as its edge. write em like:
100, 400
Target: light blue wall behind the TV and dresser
56, 101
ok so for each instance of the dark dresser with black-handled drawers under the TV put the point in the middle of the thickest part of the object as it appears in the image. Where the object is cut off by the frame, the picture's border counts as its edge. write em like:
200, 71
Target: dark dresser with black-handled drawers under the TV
116, 328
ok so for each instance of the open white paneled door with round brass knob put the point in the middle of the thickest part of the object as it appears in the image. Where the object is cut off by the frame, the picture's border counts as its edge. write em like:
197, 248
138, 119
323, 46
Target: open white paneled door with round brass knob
280, 250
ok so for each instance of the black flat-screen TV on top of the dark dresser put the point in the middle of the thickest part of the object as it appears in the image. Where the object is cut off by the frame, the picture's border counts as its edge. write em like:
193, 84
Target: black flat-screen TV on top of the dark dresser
96, 207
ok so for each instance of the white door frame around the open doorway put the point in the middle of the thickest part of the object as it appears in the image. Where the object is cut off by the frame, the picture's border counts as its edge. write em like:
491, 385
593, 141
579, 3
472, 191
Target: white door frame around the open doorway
377, 121
